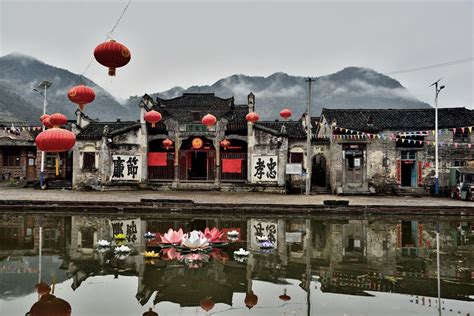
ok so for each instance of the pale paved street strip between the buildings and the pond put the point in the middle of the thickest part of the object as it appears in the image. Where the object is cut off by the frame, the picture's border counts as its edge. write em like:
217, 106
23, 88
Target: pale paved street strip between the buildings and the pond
219, 197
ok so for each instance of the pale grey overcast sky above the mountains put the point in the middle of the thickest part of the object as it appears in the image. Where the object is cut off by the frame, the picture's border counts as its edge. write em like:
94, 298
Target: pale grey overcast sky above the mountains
193, 42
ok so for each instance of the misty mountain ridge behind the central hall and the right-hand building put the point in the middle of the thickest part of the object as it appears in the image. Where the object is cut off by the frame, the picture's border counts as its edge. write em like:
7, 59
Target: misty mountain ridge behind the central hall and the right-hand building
352, 87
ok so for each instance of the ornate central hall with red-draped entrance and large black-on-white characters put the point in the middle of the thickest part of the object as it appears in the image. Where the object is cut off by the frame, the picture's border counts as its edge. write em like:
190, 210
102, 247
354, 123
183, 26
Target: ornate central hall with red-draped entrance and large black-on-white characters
181, 153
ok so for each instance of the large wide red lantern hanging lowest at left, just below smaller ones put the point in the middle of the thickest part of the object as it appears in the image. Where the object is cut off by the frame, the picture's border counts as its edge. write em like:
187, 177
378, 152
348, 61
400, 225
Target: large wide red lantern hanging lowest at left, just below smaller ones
55, 140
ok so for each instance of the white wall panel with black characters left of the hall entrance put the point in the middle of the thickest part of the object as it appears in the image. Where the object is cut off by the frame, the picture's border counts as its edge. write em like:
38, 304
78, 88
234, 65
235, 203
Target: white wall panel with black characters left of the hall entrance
125, 167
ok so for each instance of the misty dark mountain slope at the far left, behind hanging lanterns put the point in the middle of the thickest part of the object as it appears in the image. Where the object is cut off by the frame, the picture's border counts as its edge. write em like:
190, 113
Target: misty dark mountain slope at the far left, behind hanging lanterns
19, 74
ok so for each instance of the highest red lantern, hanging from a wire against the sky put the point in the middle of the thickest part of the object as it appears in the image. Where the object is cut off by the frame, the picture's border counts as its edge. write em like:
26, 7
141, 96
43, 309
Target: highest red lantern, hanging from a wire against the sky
113, 55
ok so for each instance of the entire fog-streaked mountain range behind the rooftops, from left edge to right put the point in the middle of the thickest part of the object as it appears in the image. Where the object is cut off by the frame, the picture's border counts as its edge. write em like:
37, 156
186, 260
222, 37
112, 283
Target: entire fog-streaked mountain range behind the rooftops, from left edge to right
352, 87
